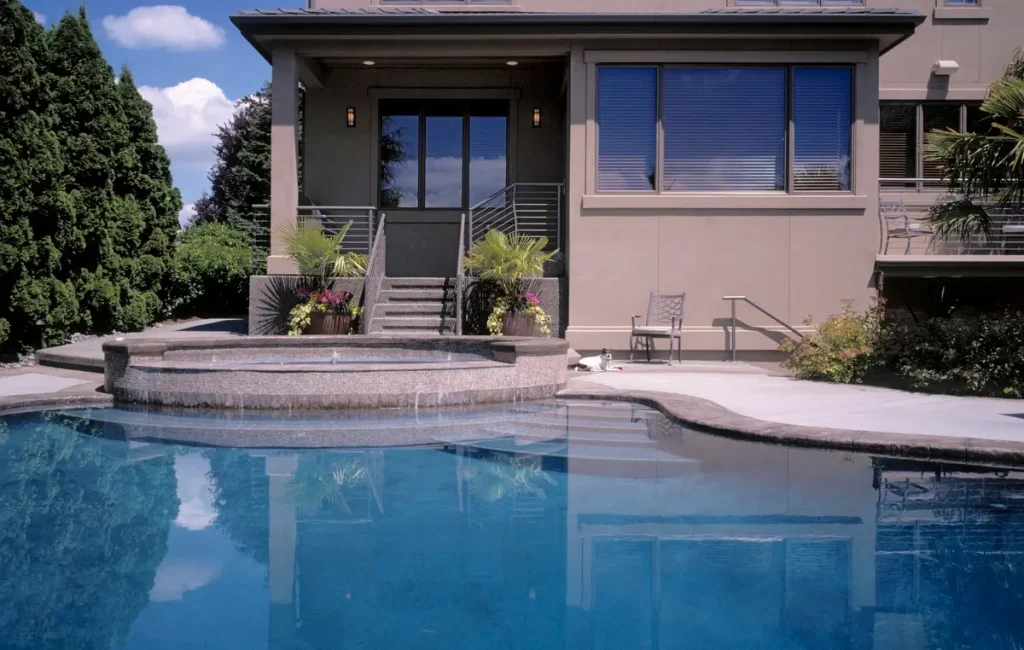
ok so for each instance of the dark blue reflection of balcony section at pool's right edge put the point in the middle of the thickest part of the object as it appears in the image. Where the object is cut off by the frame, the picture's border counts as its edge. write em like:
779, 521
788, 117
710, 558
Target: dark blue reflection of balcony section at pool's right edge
949, 554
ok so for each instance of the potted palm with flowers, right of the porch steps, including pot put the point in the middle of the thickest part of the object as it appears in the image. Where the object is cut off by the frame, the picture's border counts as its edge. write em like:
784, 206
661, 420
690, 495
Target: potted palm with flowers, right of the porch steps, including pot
508, 261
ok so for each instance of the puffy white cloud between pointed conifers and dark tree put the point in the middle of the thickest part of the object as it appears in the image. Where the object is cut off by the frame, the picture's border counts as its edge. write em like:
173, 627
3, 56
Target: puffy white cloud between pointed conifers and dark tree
188, 116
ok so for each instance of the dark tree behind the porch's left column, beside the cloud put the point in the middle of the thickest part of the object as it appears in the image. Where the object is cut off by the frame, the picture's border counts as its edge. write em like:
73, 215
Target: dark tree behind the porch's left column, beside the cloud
241, 177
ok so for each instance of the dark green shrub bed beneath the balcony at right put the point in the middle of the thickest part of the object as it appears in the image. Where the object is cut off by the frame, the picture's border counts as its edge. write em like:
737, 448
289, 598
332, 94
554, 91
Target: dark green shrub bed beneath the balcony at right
977, 354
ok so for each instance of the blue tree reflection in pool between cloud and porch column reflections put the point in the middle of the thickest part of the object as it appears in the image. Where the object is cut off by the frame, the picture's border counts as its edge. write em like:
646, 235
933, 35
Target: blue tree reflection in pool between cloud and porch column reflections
242, 499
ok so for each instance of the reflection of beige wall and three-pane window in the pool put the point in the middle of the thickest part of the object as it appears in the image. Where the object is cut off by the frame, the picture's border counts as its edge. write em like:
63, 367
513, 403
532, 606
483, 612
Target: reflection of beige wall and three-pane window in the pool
749, 546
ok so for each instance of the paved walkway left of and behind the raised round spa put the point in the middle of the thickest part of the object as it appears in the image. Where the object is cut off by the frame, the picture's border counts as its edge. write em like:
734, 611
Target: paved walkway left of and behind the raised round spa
89, 355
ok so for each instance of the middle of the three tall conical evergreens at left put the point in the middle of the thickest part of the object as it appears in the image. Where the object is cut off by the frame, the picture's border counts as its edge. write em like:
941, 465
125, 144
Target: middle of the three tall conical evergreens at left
94, 135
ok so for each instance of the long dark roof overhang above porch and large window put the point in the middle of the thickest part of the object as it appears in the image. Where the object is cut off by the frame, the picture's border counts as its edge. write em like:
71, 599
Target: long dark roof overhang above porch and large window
264, 28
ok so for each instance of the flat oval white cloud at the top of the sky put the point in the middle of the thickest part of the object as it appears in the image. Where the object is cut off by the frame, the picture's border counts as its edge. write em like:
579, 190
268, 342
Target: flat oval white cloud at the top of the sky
163, 26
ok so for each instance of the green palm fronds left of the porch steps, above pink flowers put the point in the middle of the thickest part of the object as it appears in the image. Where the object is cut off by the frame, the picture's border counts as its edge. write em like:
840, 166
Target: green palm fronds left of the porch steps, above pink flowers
318, 255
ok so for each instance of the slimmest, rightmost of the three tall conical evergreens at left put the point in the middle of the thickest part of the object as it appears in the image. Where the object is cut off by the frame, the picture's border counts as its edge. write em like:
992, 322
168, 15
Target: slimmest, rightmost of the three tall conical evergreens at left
148, 180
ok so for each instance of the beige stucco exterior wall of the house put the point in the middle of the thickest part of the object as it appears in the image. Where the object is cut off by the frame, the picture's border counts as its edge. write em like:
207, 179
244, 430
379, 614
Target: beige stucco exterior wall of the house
797, 256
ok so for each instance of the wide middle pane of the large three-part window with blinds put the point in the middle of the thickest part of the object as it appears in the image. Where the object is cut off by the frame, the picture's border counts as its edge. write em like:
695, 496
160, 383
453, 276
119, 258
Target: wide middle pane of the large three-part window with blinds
724, 129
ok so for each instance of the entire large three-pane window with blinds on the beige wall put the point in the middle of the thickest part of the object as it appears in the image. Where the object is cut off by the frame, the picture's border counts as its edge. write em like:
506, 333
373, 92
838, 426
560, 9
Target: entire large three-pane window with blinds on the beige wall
708, 128
